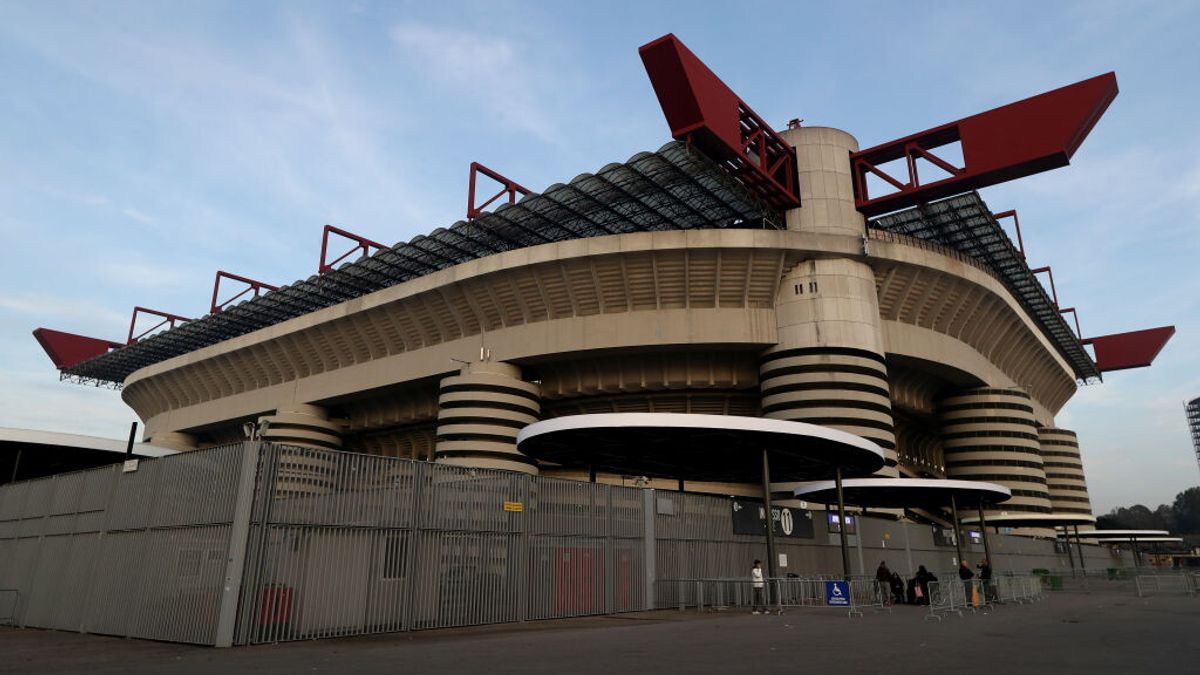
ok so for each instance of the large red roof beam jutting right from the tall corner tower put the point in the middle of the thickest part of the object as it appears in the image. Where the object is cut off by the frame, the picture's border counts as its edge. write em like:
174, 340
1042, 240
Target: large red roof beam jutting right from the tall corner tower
1015, 141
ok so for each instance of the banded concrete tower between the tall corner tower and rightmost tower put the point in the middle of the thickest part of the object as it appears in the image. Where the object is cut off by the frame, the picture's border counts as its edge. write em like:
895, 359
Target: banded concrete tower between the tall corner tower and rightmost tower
992, 435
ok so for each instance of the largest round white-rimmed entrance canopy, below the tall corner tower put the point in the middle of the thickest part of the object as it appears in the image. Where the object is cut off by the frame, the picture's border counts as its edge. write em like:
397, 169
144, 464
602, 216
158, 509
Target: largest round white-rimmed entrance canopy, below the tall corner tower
698, 447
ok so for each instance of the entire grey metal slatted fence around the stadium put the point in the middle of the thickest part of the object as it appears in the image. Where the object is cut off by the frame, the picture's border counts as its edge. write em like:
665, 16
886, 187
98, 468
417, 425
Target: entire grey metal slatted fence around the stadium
256, 543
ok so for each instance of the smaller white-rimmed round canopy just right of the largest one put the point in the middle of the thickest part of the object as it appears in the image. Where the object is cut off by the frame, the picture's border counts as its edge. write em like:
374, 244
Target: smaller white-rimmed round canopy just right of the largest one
904, 493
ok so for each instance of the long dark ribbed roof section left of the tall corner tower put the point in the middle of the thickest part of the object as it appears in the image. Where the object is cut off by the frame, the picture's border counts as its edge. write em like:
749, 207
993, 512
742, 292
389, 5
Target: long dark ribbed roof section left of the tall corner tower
674, 189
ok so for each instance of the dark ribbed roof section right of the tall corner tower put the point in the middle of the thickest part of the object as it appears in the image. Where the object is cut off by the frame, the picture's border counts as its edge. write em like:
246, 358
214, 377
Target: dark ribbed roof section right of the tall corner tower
965, 224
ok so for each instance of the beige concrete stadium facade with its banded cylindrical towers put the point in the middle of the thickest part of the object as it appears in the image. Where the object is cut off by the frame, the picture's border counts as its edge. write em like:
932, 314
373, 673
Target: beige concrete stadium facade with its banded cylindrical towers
915, 347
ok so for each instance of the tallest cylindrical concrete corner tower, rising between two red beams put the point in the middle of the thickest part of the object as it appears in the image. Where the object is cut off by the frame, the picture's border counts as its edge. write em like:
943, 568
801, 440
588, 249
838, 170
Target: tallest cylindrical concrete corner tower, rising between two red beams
829, 367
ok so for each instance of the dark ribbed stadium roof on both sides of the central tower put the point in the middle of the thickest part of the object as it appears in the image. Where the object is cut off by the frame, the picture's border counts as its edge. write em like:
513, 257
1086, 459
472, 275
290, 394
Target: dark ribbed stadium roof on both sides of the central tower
676, 188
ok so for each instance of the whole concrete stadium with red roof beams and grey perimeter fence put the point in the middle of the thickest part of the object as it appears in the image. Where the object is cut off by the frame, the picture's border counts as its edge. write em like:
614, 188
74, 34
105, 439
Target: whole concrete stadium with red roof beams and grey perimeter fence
410, 438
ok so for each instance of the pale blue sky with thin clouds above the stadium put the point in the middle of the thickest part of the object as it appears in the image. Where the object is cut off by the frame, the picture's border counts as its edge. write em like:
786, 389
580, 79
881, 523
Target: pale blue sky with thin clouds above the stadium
145, 146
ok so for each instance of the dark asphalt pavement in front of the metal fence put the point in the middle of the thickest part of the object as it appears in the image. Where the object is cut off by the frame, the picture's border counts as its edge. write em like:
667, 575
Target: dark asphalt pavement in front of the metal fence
1072, 632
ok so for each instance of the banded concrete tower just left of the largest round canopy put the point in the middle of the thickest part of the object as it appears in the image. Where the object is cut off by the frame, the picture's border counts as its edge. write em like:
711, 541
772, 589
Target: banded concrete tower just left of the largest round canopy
481, 413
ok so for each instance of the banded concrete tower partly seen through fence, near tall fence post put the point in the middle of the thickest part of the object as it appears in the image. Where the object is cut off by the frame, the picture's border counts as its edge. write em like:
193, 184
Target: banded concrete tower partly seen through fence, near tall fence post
298, 427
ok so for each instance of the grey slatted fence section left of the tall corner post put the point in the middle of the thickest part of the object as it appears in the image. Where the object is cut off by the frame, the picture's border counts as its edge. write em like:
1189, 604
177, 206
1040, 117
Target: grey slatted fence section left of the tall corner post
139, 554
